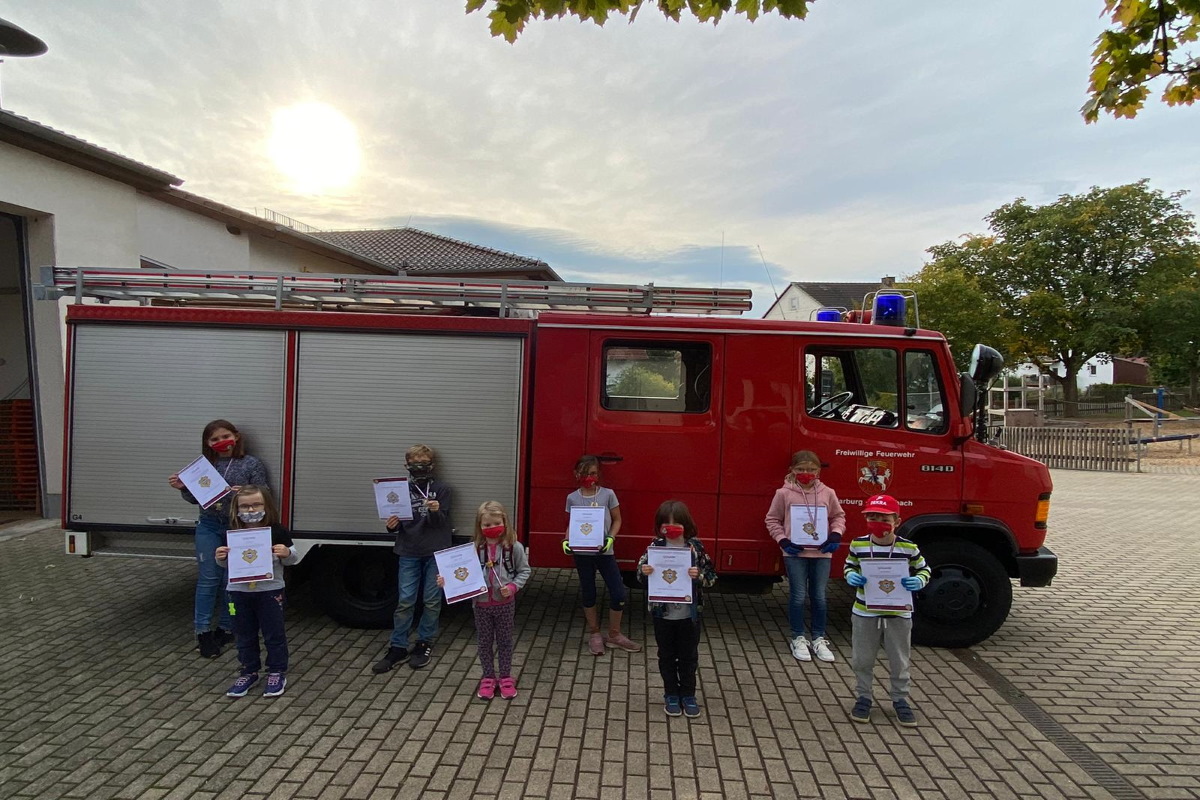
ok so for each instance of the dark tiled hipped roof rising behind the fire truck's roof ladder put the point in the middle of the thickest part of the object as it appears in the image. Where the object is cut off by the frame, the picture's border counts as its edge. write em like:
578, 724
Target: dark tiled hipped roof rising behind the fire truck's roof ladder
424, 255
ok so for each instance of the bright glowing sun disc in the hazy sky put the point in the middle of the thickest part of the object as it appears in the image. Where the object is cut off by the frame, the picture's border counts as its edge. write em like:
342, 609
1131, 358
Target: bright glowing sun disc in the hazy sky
315, 147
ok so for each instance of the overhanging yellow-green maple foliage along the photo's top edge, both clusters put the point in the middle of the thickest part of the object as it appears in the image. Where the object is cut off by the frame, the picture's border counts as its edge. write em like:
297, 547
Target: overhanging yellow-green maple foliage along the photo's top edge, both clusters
1143, 45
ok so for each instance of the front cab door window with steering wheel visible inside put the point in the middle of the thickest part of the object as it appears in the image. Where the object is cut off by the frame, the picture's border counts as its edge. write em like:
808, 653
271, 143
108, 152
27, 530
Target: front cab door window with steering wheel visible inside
859, 386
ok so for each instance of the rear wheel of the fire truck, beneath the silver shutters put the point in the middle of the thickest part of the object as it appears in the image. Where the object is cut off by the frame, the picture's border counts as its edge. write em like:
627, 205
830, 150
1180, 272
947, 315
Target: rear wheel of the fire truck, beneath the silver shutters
357, 586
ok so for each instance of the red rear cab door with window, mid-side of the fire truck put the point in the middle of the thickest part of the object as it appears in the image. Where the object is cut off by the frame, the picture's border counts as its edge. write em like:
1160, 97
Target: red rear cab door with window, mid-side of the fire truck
655, 418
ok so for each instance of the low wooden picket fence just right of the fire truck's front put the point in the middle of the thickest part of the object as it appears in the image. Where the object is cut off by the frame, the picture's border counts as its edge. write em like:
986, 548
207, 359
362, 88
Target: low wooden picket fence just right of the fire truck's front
1107, 450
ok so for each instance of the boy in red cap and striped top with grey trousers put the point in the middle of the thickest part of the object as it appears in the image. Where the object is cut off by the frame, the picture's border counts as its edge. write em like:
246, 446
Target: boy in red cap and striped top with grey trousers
891, 627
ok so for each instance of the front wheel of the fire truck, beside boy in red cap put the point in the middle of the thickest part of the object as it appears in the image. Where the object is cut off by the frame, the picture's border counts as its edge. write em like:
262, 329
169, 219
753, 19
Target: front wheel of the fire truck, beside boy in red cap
968, 597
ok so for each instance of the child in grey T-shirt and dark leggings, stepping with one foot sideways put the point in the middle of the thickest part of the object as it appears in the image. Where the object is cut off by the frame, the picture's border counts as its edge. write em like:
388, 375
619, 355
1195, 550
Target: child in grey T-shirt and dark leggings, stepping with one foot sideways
592, 495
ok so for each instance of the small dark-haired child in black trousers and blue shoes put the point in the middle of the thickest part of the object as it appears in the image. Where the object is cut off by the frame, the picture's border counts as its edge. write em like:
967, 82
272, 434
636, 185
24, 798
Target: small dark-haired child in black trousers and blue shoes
677, 624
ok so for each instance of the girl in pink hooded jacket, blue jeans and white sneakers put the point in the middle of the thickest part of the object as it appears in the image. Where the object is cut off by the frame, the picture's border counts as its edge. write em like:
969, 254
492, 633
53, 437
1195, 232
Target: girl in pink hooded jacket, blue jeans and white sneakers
807, 521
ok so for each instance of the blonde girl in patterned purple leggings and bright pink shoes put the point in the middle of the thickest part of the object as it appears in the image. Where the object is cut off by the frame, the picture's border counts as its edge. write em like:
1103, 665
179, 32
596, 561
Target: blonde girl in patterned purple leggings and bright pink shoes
506, 572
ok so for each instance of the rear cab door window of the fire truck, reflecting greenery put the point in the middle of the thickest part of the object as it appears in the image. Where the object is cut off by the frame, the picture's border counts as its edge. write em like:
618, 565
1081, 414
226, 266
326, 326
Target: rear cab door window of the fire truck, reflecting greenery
657, 377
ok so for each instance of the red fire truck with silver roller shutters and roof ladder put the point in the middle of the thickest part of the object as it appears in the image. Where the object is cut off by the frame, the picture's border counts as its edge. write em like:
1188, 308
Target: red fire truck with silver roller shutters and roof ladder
332, 377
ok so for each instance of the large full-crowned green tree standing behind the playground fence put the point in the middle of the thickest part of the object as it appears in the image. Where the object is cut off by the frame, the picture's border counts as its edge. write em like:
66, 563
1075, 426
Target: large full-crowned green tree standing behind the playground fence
1070, 280
